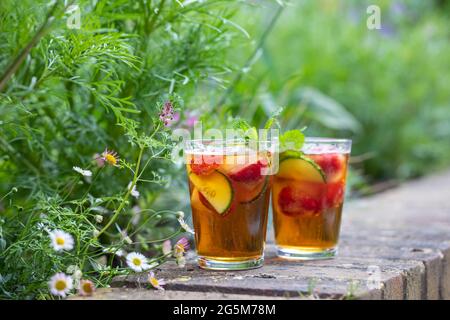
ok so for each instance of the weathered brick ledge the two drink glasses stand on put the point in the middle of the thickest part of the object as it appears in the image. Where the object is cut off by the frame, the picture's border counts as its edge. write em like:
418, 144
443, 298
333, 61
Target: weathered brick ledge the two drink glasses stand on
404, 233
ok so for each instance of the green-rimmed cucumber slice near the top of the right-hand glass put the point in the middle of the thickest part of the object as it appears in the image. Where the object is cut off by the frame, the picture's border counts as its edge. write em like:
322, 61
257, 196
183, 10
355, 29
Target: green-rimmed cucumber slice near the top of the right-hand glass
301, 168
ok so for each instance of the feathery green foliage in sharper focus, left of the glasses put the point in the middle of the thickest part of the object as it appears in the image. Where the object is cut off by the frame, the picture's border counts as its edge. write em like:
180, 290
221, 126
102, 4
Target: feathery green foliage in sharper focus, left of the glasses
66, 95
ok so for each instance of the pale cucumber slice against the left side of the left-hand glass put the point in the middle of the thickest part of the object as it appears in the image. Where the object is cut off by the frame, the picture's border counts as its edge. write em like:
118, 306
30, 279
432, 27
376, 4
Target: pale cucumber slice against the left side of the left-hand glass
216, 188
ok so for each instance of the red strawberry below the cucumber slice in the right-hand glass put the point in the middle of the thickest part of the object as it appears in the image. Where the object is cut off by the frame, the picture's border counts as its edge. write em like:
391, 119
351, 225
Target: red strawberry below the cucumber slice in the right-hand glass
295, 203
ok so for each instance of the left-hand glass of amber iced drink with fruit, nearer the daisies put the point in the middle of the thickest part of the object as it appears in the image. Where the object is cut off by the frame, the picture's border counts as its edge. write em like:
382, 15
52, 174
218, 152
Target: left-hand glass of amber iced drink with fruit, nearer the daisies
230, 194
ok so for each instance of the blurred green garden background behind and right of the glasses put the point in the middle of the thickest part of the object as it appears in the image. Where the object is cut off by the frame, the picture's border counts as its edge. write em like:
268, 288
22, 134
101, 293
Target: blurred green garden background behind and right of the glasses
387, 89
